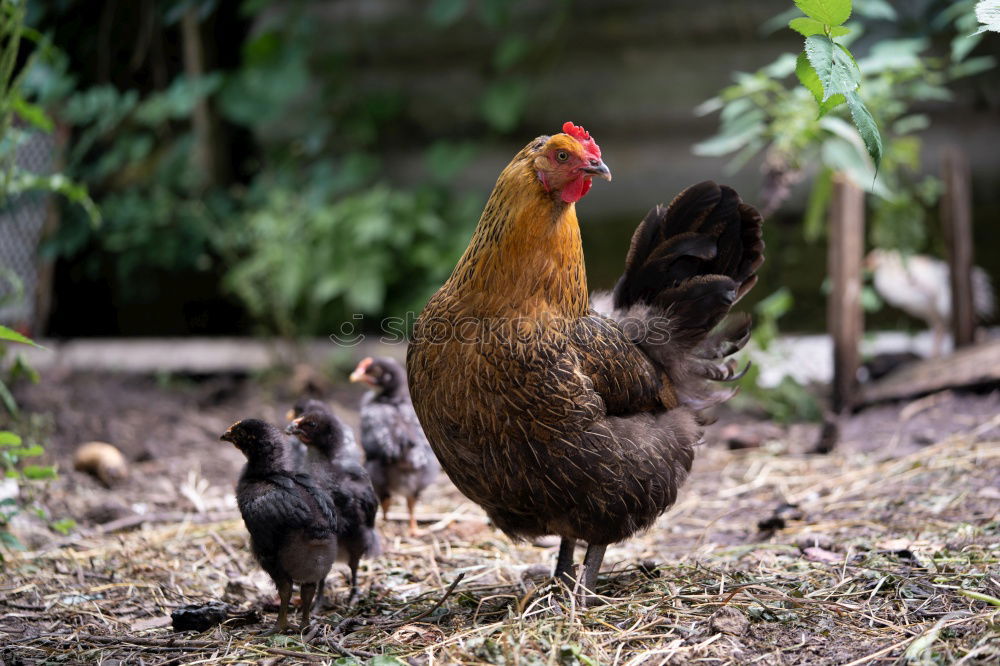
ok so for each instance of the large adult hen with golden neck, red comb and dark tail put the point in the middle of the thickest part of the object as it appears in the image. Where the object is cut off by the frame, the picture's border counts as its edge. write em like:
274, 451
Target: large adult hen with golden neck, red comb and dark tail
553, 417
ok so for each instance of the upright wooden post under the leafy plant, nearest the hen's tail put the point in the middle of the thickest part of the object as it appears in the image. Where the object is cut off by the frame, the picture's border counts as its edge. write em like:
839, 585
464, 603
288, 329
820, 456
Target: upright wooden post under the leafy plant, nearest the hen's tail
845, 320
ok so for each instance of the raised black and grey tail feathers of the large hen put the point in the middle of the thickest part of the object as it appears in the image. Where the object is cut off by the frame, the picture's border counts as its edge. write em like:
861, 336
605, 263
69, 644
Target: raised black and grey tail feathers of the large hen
688, 264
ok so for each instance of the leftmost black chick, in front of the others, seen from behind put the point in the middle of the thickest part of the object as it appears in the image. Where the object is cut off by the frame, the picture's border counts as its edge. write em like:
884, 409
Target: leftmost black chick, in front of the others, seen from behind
292, 522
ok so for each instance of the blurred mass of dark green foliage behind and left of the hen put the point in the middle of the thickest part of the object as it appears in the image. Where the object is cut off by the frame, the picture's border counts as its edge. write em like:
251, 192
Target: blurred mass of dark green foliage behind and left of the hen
315, 131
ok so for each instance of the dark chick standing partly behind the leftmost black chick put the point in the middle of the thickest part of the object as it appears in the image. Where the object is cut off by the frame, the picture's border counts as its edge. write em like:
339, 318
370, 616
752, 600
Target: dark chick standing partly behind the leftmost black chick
347, 482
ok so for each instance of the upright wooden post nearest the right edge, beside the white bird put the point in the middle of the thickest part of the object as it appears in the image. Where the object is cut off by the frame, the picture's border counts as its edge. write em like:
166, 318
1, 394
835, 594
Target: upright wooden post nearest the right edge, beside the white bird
956, 217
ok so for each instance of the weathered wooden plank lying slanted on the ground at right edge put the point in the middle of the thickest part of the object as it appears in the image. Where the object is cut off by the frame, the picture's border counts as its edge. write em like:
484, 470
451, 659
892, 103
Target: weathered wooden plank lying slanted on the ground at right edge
976, 365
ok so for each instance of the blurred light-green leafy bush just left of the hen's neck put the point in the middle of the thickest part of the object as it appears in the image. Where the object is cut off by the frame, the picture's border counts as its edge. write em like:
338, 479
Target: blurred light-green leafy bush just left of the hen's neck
304, 267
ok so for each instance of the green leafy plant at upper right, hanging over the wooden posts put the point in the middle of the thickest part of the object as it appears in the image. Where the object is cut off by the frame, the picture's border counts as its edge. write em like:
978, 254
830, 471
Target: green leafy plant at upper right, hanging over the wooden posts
763, 112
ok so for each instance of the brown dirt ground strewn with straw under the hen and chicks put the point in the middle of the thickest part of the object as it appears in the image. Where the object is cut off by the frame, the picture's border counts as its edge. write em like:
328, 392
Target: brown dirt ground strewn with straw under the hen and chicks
885, 551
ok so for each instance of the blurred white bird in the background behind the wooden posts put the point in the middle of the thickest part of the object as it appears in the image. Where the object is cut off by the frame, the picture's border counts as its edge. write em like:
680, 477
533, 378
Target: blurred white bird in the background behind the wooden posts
919, 285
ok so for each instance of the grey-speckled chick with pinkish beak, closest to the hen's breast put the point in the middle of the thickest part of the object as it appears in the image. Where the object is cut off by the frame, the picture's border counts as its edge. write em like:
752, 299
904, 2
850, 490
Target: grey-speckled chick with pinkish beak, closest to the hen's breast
398, 457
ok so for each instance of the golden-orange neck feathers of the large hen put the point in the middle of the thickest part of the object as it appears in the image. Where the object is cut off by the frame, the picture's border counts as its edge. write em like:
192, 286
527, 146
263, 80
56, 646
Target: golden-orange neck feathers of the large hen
525, 257
